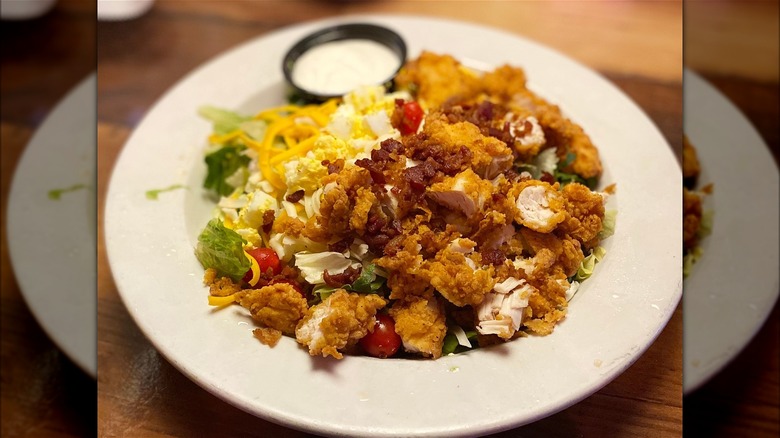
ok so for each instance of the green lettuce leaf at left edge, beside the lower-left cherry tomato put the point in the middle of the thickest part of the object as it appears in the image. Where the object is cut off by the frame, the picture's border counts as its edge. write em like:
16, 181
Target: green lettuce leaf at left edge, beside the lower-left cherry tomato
222, 249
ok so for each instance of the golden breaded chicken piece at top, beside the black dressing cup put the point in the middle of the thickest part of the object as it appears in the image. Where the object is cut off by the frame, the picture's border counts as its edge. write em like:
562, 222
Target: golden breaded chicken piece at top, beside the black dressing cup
434, 79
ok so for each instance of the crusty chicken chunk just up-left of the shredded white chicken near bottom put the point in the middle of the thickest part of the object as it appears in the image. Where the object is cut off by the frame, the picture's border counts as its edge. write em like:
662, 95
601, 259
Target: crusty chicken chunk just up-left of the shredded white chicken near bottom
450, 274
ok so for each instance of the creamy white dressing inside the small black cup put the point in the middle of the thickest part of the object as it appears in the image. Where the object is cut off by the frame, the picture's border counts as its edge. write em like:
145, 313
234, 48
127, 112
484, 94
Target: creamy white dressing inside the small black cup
340, 66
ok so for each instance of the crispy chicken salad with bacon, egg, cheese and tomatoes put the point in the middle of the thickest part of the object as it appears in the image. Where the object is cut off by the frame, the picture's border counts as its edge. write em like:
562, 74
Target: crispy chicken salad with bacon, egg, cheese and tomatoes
455, 211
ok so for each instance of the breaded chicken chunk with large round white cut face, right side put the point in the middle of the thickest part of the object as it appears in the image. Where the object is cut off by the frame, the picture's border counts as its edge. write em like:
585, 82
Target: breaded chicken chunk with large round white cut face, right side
540, 206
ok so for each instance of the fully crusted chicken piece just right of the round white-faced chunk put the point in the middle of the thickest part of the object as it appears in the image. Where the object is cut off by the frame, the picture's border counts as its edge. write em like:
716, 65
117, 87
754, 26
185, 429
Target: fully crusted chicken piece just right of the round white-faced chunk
585, 214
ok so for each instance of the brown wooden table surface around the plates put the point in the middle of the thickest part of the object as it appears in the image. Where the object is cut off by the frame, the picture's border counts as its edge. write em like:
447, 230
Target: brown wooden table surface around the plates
637, 45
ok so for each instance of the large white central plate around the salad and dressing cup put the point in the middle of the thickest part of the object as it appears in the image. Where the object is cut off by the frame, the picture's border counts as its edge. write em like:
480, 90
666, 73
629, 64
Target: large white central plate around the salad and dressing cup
614, 317
